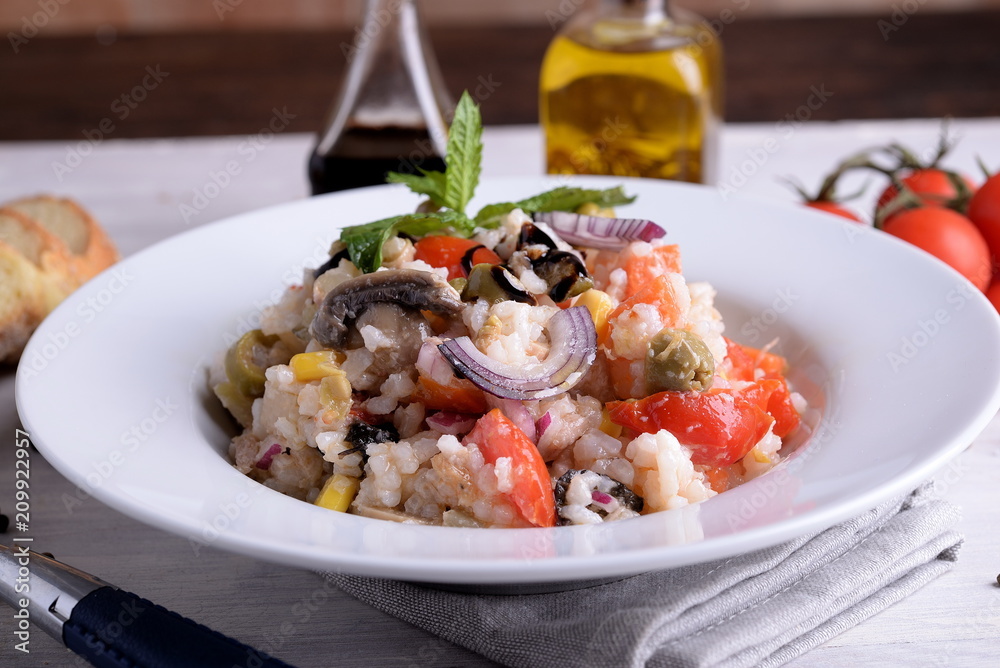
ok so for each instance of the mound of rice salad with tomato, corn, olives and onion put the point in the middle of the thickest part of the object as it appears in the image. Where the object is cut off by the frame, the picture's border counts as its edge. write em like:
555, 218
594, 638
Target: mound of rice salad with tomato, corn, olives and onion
549, 368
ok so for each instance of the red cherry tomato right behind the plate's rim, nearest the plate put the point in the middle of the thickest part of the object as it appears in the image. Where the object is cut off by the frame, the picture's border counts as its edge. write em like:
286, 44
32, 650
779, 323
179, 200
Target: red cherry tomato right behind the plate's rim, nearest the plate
947, 235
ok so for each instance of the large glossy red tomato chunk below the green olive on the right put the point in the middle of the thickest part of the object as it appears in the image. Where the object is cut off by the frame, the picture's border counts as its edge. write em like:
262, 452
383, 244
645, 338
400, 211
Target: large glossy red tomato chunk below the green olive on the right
720, 427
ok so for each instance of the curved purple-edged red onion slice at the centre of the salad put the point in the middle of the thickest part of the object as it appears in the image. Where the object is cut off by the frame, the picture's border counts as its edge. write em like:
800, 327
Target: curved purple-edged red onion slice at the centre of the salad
573, 349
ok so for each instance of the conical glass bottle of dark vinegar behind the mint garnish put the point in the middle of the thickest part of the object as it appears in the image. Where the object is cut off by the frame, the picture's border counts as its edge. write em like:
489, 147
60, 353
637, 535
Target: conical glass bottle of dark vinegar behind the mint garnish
390, 114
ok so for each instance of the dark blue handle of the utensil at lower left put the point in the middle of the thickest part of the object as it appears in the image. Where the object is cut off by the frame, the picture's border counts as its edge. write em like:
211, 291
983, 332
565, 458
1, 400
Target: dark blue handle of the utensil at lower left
112, 628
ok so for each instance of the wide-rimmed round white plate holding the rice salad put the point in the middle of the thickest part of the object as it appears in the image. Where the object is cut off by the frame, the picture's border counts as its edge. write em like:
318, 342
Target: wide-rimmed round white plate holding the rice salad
896, 349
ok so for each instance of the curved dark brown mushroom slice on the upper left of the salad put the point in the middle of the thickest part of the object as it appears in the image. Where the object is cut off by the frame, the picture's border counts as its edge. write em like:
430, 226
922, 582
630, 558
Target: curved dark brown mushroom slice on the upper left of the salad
409, 288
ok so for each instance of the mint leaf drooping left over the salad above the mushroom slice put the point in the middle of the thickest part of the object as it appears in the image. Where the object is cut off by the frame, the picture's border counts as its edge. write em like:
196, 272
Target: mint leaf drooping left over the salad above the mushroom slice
364, 242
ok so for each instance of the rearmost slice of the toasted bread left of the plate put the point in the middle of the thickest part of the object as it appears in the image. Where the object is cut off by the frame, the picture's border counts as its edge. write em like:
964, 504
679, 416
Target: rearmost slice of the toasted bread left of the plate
91, 251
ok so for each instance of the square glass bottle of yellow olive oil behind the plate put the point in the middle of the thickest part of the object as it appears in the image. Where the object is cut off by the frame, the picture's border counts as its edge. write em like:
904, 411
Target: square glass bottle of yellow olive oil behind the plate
633, 90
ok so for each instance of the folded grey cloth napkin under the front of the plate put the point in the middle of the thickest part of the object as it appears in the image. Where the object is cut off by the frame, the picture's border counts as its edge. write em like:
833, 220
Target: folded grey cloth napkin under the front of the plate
758, 609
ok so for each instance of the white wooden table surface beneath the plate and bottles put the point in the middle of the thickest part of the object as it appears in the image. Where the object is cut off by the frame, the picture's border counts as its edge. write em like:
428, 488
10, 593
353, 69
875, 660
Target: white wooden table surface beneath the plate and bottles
139, 191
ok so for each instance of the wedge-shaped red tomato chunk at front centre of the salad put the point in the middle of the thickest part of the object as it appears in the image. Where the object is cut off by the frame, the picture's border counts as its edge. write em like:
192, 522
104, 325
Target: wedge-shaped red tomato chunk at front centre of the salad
532, 494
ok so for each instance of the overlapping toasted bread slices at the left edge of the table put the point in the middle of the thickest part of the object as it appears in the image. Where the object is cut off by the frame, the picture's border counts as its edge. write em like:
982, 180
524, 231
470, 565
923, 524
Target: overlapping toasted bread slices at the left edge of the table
48, 248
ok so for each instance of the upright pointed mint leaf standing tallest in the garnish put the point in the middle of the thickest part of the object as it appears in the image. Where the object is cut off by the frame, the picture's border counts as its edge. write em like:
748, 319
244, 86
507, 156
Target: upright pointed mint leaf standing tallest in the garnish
465, 154
